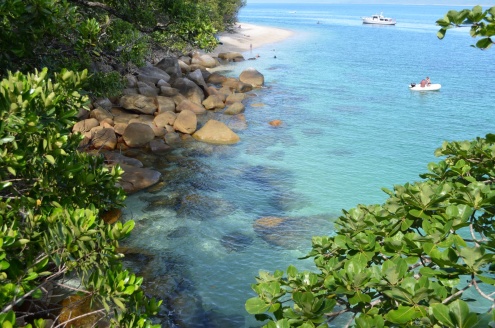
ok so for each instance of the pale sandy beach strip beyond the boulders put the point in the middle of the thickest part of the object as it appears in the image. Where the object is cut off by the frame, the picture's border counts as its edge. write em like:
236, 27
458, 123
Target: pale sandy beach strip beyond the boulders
249, 36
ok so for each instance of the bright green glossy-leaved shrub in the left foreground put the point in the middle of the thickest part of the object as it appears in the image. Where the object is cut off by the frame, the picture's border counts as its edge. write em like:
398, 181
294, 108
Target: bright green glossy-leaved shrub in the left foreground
50, 199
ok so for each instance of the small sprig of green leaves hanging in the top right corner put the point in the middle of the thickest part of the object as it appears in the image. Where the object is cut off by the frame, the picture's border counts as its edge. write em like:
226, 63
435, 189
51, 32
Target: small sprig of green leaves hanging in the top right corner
482, 24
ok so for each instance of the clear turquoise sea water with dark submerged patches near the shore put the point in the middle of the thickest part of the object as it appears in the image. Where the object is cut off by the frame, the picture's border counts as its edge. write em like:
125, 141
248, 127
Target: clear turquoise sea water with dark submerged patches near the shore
350, 127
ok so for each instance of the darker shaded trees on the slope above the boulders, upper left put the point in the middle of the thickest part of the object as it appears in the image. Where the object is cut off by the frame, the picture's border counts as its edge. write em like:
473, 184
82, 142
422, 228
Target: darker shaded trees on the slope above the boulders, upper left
119, 34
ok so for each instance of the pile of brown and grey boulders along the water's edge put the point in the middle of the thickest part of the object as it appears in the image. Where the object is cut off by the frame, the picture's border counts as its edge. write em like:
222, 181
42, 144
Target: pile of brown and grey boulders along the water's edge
164, 105
